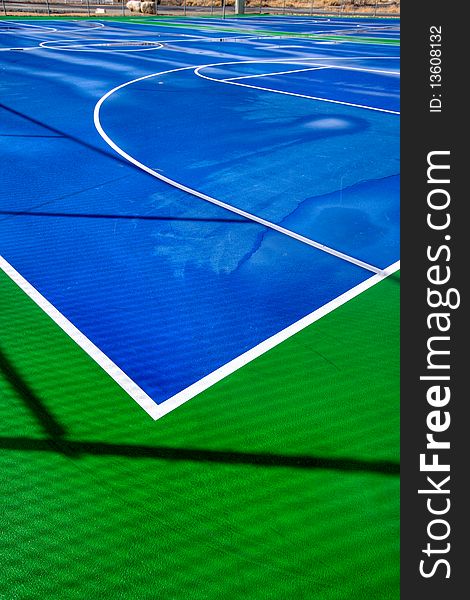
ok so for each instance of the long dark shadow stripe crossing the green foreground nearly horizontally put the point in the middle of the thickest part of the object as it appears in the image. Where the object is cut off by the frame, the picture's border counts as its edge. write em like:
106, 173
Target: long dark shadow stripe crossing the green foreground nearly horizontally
76, 448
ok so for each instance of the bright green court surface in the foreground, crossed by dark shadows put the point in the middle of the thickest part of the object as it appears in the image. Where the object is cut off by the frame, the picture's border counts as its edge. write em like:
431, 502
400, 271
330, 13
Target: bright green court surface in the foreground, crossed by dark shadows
280, 482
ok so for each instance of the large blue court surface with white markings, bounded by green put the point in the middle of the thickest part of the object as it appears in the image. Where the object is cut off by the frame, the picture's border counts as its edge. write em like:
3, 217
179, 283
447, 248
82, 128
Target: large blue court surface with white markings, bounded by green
182, 191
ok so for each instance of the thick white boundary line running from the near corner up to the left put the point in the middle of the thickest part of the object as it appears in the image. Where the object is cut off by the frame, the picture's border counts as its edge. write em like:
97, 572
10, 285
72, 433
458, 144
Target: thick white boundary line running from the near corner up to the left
123, 380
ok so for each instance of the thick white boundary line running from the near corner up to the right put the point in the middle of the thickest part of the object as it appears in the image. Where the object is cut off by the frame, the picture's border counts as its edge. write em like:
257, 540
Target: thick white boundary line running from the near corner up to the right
247, 357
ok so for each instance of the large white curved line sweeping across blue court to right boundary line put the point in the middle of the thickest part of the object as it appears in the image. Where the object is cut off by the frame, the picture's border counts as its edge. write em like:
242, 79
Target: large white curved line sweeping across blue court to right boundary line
198, 194
